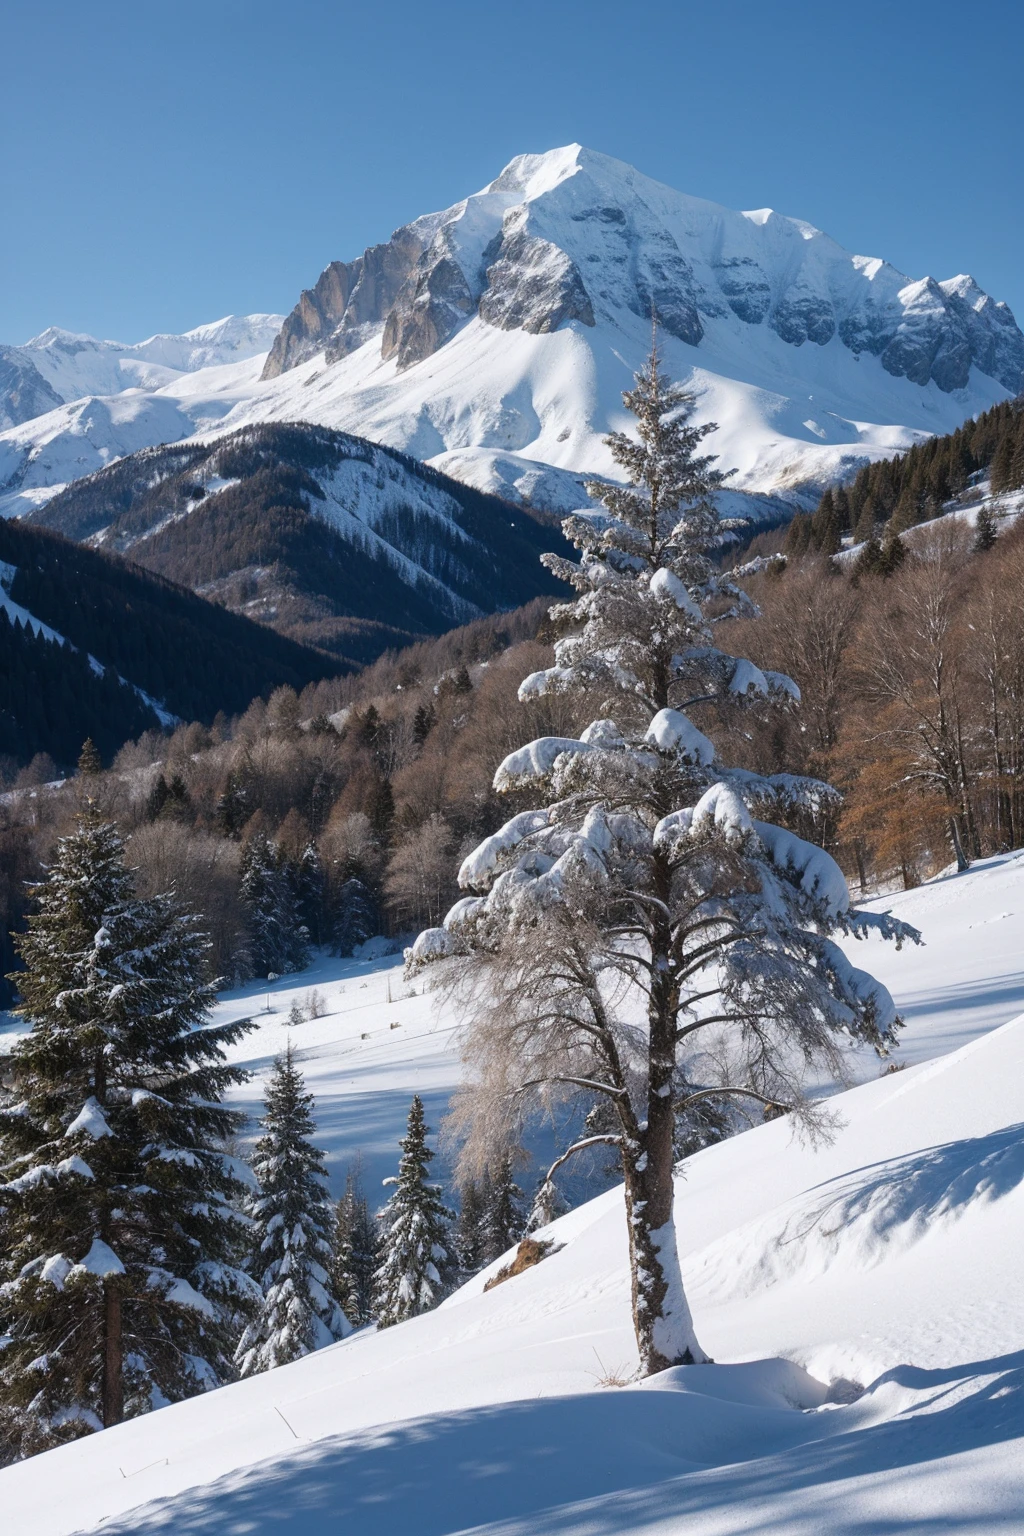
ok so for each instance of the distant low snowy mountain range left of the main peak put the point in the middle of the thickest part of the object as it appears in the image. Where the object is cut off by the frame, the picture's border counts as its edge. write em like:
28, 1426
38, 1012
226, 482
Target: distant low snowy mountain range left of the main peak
59, 366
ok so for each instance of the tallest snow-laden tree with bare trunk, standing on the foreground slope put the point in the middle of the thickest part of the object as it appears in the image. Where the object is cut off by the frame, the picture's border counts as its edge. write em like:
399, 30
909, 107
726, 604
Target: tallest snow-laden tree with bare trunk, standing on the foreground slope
646, 879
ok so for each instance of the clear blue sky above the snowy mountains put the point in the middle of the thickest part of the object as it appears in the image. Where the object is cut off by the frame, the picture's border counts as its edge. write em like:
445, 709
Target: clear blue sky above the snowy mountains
168, 162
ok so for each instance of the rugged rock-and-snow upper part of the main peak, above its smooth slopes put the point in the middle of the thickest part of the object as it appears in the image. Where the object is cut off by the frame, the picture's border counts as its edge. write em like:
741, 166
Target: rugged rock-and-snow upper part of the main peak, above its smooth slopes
575, 237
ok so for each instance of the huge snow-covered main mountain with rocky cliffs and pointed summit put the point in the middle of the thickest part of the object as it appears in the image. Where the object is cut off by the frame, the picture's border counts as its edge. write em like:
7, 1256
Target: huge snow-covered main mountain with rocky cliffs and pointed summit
494, 340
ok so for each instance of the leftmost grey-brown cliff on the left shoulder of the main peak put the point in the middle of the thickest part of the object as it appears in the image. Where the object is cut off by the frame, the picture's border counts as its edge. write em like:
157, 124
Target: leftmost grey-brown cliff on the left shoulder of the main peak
346, 303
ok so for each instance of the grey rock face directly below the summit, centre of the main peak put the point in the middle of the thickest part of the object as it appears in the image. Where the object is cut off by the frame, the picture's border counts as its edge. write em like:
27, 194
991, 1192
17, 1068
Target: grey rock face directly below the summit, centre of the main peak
533, 286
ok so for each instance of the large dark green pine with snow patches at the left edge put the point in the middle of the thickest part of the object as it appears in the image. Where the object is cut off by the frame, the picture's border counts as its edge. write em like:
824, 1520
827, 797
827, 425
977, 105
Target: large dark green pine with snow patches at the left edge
119, 1207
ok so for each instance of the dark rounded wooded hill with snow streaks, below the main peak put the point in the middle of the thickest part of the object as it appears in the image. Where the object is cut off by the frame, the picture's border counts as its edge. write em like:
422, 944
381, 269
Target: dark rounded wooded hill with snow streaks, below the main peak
320, 535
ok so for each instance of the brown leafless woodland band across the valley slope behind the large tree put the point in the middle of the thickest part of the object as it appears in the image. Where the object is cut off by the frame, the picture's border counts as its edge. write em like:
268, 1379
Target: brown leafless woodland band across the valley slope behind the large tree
913, 704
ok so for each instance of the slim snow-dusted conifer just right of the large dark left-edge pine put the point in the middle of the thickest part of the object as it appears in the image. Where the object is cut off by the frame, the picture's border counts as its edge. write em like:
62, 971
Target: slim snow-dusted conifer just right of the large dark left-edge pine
292, 1233
